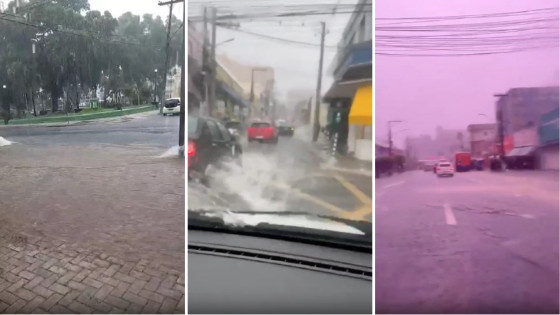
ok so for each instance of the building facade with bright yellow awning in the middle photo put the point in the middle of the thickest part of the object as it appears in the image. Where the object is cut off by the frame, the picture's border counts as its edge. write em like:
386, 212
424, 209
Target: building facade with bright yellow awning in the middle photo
352, 72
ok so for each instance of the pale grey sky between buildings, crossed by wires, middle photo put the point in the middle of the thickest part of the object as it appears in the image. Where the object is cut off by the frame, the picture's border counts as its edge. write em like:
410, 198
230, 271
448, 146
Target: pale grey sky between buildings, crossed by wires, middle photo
295, 66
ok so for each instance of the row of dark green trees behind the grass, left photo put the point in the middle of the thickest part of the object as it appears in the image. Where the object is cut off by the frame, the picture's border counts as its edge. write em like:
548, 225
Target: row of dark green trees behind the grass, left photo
62, 48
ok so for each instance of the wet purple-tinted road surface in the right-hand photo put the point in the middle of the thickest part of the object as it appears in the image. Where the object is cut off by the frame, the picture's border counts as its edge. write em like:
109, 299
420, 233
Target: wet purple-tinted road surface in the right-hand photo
478, 242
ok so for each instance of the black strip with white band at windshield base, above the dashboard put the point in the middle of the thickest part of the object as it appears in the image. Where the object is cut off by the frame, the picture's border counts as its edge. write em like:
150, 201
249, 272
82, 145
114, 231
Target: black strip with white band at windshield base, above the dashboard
209, 221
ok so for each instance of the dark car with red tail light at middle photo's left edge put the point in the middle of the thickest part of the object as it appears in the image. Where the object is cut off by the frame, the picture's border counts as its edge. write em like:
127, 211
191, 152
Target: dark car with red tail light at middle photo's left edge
210, 143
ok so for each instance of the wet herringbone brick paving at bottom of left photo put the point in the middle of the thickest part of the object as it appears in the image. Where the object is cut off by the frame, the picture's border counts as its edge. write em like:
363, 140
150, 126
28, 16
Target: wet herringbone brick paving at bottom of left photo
40, 276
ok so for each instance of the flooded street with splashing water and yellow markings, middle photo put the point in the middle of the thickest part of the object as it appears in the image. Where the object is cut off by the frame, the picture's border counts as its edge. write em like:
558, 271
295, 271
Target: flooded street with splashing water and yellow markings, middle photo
294, 175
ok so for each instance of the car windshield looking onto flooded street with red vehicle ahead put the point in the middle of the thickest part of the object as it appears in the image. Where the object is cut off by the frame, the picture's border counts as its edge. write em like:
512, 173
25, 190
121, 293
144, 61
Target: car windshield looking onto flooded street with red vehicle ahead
292, 157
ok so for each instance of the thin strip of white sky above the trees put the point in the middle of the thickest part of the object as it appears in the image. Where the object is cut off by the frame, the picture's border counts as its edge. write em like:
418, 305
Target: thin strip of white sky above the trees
138, 7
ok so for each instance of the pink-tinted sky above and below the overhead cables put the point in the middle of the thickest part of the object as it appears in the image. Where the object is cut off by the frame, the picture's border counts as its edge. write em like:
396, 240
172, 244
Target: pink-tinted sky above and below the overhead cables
425, 92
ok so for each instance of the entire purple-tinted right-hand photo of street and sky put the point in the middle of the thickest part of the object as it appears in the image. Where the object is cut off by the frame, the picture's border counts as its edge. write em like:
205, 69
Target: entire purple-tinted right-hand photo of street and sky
472, 224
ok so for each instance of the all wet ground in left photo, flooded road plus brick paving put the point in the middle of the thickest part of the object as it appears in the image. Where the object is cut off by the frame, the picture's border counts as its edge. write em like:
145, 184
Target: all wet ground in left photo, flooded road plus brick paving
93, 217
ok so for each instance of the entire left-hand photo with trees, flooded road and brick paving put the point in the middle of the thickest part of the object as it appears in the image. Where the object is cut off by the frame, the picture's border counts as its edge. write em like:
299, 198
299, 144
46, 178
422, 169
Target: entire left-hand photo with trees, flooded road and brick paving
92, 160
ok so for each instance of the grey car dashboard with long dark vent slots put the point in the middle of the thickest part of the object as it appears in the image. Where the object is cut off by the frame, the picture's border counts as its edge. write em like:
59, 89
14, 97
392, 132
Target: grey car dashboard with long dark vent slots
241, 274
